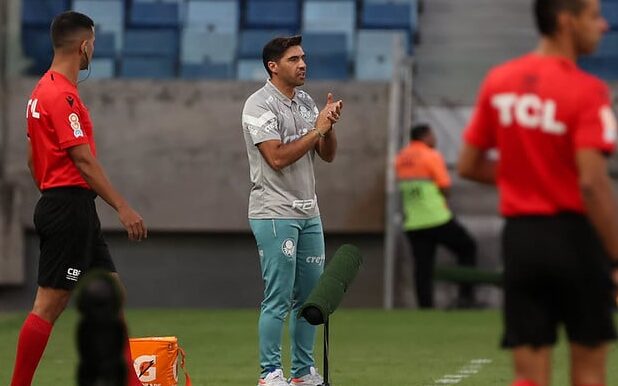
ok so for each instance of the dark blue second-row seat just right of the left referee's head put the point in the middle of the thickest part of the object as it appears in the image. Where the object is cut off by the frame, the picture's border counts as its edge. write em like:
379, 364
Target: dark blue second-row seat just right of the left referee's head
151, 42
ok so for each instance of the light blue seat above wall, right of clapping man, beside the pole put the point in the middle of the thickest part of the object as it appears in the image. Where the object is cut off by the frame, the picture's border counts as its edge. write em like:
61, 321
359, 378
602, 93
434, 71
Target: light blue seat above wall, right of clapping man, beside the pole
374, 54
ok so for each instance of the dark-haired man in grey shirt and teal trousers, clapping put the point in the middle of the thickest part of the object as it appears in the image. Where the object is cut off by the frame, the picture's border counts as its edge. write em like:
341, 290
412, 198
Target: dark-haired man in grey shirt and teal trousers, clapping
283, 131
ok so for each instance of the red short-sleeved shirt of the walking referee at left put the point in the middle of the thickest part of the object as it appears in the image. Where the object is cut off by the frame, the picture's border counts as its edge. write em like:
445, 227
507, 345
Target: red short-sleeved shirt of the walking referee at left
57, 120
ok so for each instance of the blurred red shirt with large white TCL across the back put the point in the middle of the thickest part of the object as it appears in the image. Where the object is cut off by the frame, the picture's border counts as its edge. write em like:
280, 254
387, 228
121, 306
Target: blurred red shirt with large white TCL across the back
538, 111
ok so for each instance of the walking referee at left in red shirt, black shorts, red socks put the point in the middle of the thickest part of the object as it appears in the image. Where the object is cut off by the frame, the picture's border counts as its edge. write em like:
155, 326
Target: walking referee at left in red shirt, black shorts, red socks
63, 164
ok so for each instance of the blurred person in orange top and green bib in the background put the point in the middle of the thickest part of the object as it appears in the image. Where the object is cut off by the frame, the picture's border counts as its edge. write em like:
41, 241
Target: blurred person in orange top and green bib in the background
424, 184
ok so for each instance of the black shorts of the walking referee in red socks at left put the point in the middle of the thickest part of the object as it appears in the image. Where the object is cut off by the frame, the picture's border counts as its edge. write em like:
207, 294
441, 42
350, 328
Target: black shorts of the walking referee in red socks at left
70, 235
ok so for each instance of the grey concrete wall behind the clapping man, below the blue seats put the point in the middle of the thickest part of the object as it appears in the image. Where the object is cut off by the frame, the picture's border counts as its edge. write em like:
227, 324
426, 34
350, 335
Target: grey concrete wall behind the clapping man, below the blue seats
175, 150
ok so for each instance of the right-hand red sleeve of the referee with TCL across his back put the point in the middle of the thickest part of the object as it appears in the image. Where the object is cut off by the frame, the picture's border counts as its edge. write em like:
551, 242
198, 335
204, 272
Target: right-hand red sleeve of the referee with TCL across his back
596, 126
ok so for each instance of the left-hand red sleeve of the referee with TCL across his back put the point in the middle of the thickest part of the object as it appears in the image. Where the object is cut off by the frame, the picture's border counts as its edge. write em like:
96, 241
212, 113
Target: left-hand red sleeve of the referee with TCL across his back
481, 130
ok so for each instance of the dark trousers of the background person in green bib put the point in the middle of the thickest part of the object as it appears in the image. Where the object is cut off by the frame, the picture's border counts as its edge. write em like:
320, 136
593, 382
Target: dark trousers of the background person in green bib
424, 242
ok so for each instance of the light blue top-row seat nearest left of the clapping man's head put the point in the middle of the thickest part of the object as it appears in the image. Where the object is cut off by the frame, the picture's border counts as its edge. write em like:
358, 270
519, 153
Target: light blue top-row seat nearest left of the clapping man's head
218, 16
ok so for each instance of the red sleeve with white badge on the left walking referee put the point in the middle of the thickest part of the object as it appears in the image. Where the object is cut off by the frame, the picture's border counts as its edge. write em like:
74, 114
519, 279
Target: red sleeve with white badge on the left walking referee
66, 117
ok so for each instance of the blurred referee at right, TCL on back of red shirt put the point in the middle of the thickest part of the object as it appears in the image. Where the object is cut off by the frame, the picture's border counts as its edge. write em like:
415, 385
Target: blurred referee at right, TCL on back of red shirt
552, 126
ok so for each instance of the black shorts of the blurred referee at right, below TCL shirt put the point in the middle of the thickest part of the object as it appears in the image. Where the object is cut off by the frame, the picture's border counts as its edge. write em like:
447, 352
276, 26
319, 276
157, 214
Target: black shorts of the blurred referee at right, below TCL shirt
556, 272
